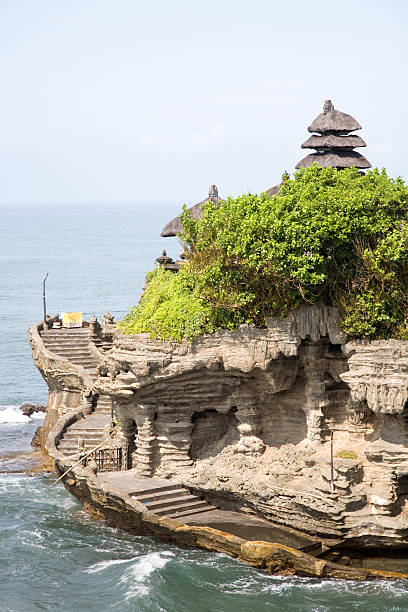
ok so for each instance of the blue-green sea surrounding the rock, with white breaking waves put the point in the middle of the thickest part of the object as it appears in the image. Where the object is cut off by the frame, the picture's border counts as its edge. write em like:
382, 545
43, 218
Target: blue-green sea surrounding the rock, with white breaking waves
53, 556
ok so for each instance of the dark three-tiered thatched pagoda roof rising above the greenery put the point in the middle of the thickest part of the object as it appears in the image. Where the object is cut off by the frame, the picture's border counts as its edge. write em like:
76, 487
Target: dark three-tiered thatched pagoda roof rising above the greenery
333, 144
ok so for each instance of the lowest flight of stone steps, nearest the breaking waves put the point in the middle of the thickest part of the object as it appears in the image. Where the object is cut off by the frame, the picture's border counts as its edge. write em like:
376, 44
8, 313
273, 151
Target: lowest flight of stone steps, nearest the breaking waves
170, 500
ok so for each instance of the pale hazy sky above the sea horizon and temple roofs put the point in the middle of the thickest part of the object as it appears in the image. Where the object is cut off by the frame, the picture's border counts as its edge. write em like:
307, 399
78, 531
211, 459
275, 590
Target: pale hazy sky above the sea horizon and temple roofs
155, 100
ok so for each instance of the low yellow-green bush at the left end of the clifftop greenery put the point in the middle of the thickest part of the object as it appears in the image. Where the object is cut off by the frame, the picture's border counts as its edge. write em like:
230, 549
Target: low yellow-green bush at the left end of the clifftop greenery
169, 309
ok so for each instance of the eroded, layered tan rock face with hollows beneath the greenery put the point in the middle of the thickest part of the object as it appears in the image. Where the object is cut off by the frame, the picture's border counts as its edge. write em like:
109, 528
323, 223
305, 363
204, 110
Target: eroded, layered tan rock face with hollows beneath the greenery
245, 418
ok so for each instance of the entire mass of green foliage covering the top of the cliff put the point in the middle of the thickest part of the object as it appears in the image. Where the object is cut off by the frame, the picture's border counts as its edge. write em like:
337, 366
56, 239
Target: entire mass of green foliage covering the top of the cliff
336, 237
